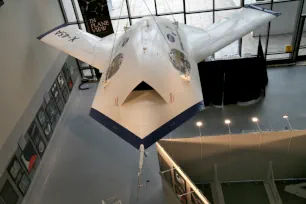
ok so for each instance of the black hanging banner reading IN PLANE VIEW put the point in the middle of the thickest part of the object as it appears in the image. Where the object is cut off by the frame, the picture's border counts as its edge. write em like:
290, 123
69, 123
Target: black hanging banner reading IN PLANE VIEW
96, 17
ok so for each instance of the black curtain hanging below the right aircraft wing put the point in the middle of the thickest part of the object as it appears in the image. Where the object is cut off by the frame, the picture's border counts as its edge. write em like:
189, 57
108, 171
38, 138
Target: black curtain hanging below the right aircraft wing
232, 81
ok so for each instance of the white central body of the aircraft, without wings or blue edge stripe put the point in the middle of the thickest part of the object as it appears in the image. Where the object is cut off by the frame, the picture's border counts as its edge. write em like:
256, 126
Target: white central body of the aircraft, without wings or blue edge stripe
146, 58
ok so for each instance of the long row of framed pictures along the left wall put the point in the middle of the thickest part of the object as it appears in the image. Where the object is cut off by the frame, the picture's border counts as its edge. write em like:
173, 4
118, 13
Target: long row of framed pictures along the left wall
23, 165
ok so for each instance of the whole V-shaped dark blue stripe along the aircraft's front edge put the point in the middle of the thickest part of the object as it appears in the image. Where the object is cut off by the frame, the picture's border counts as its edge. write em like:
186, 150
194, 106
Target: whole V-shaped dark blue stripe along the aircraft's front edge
152, 137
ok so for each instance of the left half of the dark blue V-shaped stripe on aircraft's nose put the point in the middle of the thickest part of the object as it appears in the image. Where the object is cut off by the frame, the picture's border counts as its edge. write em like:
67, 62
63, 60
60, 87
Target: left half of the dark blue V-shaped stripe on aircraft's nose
116, 128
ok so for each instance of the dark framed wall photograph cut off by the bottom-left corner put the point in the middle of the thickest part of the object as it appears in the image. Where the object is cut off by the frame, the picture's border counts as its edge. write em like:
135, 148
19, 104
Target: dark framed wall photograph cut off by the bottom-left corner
8, 195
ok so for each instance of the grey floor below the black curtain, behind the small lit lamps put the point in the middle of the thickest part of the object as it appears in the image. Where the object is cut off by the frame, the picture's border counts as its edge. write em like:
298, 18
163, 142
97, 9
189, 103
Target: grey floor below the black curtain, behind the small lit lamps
285, 93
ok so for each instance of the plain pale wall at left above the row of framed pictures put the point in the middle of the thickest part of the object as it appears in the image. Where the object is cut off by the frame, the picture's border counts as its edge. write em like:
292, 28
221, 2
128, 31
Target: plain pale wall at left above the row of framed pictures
24, 60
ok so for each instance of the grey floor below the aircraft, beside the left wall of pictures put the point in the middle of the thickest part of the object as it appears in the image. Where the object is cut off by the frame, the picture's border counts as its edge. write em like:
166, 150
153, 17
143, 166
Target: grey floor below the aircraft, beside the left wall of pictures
86, 163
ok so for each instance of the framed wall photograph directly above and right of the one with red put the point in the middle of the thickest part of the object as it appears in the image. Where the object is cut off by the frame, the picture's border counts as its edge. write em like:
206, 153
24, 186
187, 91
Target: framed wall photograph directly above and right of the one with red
37, 138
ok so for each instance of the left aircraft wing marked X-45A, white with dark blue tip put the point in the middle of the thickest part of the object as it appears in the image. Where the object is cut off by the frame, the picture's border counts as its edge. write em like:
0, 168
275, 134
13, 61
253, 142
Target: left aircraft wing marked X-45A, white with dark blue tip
86, 47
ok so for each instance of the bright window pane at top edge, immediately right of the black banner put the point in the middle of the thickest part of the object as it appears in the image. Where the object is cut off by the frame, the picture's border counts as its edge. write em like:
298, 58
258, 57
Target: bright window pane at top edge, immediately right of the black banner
117, 8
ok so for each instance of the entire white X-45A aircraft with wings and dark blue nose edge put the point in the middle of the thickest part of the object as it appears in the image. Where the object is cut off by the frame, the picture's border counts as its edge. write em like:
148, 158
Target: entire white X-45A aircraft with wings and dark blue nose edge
150, 83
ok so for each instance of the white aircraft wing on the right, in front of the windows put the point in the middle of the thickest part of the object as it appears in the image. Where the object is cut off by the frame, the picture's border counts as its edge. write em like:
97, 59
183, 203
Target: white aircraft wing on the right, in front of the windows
204, 43
